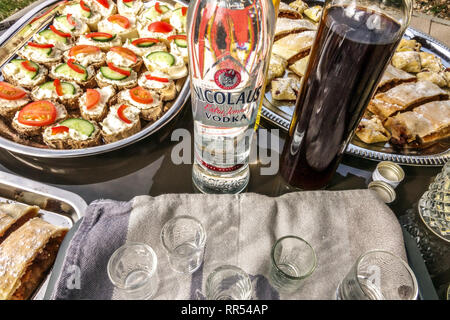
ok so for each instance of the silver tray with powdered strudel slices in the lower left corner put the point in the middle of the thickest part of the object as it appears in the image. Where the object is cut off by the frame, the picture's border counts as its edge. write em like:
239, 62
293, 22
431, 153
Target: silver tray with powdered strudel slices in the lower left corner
34, 219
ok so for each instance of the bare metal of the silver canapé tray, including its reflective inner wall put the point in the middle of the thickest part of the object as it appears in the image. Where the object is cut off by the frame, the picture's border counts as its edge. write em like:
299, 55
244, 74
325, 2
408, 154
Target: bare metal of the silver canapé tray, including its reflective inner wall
19, 34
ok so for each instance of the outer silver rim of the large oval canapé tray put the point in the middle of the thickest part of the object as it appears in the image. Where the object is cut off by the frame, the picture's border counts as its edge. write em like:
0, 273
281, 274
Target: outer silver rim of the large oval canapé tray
148, 130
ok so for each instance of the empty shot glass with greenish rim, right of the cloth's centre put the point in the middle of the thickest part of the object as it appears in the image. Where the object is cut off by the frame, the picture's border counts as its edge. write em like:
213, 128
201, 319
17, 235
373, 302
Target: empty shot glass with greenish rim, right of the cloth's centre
293, 260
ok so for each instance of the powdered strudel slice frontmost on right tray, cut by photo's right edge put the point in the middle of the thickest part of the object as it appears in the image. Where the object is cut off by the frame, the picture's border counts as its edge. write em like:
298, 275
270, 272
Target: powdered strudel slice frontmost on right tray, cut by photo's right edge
425, 124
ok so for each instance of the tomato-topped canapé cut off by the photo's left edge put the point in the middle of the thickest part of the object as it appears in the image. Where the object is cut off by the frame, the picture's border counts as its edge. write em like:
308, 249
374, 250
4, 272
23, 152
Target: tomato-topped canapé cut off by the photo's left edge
12, 99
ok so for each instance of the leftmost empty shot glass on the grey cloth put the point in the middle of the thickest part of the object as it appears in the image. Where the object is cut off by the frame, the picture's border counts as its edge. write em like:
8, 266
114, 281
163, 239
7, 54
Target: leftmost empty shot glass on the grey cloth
133, 271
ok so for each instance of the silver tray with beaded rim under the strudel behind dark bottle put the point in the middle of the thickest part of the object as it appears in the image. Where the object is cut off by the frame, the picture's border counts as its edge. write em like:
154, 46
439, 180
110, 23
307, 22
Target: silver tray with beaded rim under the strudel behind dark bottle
279, 113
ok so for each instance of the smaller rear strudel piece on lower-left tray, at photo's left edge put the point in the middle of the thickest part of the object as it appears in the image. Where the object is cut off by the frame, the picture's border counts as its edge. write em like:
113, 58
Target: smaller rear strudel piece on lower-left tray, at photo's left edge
13, 216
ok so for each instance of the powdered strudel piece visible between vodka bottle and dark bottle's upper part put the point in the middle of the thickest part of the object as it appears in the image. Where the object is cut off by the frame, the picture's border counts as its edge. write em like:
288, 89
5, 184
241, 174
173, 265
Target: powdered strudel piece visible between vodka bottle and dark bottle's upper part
294, 46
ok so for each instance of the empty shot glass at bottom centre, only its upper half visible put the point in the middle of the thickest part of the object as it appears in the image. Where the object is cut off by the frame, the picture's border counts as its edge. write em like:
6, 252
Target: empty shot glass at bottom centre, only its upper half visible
228, 283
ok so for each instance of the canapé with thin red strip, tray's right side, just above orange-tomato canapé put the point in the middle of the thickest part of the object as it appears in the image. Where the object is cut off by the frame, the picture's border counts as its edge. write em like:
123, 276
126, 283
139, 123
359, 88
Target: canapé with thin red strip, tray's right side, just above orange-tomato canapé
159, 83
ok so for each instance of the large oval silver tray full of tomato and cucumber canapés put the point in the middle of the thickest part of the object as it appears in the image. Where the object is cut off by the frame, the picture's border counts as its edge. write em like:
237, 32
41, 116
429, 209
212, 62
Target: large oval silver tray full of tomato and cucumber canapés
90, 76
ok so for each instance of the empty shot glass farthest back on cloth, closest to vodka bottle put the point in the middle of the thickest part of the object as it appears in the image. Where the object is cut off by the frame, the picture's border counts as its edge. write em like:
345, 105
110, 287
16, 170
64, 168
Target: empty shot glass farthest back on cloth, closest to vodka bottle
184, 239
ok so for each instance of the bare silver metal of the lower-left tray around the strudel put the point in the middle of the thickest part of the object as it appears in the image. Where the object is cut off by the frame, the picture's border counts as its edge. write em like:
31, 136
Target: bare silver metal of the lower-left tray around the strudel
58, 207
